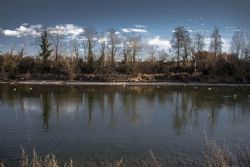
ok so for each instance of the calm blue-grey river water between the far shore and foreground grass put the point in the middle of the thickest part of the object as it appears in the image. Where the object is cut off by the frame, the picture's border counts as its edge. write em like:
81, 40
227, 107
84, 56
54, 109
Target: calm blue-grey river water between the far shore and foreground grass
98, 124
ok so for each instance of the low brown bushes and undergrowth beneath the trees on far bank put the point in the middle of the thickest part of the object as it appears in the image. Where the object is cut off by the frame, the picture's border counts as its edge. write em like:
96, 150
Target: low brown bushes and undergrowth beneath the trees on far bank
226, 68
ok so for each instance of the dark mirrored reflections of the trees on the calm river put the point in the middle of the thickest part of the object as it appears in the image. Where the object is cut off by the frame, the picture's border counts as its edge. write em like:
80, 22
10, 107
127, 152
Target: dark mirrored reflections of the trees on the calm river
110, 104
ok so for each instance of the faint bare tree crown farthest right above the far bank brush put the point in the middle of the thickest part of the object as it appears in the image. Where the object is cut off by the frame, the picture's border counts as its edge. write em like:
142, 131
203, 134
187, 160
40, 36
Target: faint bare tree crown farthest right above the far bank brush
238, 44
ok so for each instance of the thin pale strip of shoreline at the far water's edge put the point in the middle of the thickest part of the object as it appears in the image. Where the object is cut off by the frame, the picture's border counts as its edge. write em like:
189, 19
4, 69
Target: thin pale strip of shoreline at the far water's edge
126, 83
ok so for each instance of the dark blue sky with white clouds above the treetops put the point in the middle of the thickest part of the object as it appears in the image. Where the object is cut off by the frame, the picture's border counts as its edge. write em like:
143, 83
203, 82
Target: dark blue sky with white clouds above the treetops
154, 20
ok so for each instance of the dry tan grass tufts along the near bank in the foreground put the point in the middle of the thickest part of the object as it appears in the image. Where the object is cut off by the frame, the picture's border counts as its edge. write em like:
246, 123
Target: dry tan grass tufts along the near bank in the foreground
215, 156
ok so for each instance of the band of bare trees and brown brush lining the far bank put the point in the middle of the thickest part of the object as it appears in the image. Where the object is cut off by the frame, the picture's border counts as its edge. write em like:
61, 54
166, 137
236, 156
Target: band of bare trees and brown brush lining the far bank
112, 56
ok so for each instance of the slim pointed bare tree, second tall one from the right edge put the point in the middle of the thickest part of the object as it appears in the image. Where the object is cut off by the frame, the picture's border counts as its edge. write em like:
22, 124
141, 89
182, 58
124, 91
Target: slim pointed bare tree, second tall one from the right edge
216, 42
